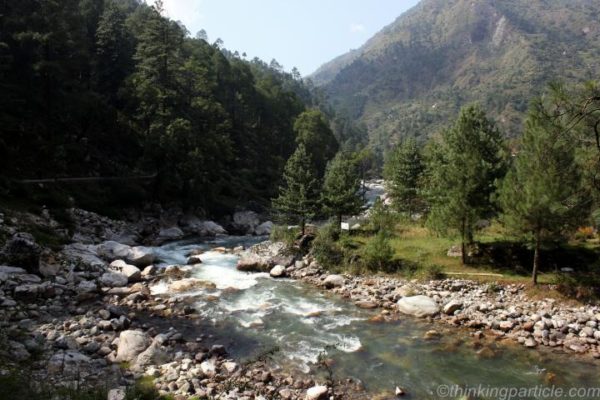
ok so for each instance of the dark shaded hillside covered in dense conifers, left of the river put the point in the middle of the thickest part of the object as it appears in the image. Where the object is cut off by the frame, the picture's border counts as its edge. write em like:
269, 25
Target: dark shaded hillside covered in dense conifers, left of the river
111, 88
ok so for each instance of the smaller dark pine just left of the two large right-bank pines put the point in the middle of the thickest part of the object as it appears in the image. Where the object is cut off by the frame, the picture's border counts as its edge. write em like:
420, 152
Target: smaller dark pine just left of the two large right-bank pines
402, 172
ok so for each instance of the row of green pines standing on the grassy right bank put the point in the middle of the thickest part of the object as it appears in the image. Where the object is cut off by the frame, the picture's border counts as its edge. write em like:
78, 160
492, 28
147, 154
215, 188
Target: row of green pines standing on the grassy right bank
540, 187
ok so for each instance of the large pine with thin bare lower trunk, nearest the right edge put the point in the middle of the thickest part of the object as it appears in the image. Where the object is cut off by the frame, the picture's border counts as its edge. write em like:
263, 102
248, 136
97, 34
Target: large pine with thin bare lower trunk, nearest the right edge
541, 195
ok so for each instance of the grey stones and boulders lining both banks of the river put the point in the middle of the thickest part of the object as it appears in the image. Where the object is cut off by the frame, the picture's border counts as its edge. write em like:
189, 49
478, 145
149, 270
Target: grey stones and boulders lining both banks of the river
85, 315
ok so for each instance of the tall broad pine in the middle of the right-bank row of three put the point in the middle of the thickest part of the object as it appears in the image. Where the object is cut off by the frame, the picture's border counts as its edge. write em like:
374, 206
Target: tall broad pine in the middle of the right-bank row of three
462, 172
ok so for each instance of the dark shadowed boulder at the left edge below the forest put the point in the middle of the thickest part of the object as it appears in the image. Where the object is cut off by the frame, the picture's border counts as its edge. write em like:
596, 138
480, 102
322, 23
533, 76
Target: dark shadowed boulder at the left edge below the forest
21, 250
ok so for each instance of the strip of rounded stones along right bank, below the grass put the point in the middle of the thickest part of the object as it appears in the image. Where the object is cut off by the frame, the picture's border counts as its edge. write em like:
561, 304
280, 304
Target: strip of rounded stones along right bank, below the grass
500, 311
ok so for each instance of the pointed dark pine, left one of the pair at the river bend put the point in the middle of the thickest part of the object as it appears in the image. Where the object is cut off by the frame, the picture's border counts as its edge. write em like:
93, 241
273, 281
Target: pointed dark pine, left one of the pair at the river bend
298, 198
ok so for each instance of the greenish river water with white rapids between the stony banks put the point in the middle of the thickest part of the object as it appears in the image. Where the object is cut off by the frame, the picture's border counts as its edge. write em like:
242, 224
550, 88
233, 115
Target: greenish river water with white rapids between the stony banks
262, 313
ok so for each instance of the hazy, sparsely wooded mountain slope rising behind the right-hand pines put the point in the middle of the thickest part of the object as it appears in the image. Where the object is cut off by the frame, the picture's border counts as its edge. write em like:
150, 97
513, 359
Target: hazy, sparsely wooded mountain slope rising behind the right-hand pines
414, 75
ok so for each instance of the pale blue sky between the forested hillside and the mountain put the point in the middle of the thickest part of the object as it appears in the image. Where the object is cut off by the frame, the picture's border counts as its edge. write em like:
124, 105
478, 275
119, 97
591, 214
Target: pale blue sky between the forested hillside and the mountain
297, 33
